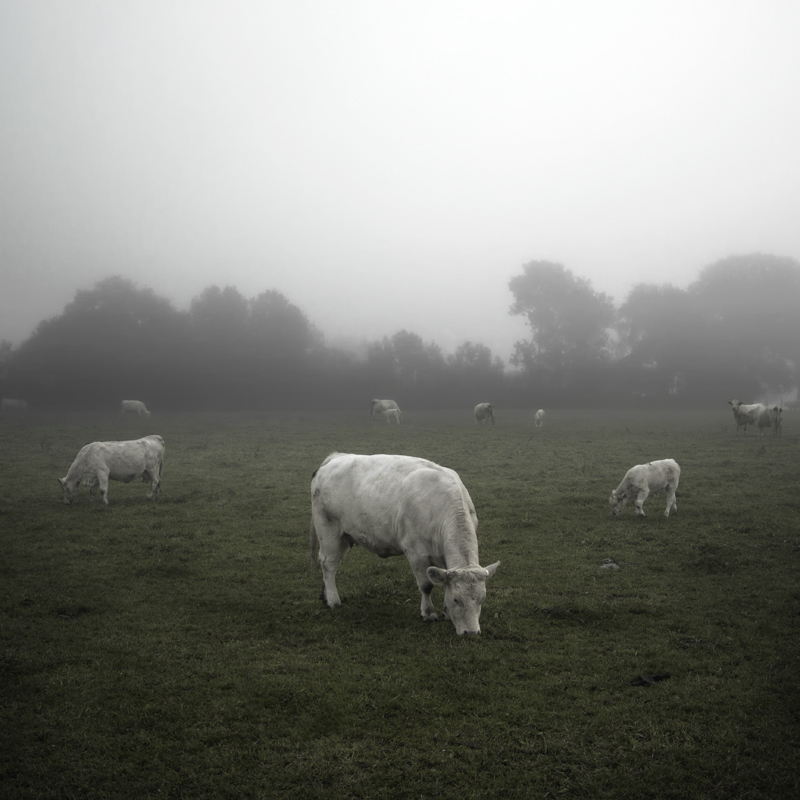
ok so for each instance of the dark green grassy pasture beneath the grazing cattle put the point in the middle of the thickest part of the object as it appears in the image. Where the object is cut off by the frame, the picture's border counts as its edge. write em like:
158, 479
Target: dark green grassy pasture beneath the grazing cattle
180, 649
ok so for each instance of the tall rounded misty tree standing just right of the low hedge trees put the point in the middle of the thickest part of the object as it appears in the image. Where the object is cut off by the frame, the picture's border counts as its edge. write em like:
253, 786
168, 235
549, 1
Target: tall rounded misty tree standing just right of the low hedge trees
569, 322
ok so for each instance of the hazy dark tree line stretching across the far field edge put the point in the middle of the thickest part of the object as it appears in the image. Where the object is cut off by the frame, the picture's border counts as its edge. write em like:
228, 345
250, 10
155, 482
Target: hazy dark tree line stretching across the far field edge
734, 332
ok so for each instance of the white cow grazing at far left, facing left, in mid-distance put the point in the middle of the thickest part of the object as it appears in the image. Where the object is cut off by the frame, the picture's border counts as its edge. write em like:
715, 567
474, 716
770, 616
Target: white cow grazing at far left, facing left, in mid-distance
120, 461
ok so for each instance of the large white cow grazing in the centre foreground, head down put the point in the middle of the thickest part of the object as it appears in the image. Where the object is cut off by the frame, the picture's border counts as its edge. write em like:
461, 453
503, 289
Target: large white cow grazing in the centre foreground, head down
401, 505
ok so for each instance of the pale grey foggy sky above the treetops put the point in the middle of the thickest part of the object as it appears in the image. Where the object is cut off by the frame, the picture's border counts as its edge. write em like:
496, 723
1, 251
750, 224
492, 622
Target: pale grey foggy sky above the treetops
390, 165
